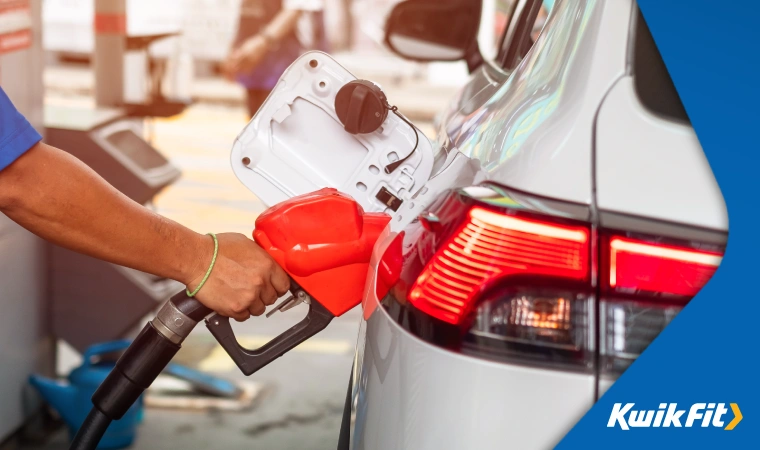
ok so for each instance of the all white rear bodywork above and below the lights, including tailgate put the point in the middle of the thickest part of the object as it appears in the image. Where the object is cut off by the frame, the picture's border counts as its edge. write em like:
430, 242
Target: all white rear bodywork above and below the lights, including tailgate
570, 129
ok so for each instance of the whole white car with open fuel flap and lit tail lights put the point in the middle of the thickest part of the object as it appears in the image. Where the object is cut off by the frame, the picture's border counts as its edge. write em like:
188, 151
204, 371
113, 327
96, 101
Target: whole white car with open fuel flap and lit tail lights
561, 219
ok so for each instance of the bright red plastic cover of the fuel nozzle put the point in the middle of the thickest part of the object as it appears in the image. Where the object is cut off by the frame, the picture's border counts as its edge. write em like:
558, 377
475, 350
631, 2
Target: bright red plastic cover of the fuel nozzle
324, 241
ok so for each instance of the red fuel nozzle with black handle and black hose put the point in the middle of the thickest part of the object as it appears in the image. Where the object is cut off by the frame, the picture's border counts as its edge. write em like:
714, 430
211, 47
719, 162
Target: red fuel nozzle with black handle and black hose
323, 240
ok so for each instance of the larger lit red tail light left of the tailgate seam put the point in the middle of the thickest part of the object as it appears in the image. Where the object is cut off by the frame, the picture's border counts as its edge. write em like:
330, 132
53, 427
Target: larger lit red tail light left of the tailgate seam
498, 282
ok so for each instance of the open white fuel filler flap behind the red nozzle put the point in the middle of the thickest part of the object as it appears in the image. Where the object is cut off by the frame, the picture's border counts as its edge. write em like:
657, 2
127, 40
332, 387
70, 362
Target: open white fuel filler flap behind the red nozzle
297, 144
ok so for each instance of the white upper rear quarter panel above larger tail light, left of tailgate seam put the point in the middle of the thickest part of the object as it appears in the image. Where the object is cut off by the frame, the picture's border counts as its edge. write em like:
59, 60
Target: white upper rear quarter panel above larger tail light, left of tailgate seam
534, 133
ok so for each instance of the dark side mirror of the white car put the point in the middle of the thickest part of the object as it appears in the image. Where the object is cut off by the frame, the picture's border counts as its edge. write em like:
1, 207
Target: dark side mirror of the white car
435, 30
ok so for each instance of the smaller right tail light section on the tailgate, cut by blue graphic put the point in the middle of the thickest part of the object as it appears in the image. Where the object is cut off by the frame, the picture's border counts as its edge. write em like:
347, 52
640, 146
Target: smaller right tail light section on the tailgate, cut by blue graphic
647, 283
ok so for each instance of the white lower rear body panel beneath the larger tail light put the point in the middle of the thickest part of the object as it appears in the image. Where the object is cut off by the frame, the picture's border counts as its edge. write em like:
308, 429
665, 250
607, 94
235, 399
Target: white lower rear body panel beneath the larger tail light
414, 396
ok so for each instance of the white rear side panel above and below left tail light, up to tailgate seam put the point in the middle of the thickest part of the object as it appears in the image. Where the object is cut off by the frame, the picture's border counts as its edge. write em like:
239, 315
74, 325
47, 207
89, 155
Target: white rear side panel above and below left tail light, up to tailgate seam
532, 132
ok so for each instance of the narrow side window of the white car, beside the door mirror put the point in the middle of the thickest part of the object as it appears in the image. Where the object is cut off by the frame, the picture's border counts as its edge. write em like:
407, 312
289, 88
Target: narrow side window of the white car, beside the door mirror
527, 21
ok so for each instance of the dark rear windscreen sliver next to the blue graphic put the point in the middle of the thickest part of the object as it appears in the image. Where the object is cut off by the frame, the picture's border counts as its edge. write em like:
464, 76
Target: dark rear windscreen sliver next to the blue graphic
653, 83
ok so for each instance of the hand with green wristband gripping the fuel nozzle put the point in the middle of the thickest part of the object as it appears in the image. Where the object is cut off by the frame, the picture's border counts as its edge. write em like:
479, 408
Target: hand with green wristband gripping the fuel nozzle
244, 280
